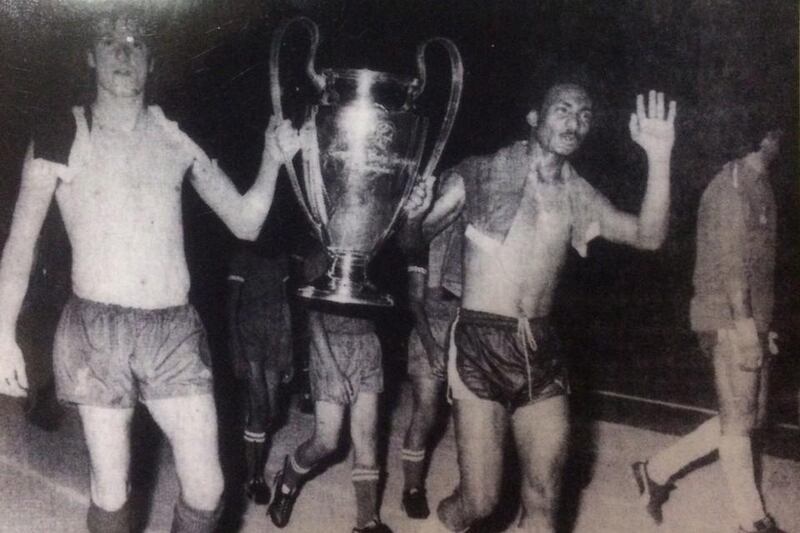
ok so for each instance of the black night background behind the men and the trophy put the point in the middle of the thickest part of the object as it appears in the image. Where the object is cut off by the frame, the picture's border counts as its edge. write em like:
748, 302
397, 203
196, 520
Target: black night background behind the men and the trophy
623, 313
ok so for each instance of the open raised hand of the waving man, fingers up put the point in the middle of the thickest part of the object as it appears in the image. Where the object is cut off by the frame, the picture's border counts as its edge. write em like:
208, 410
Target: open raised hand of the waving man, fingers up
653, 128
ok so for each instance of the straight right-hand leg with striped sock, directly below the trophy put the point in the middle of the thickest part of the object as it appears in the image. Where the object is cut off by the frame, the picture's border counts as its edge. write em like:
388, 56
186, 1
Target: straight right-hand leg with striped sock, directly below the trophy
363, 430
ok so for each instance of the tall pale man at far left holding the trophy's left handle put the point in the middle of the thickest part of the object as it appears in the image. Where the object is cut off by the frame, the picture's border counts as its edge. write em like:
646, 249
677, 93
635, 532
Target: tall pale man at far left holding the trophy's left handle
129, 334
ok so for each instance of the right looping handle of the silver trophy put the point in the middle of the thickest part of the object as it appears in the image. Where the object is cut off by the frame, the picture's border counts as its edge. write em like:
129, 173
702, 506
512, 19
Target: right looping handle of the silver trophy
456, 86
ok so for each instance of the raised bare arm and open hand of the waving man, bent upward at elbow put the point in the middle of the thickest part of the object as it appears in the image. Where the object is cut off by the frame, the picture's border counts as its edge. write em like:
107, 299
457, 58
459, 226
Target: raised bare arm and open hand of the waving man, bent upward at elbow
654, 131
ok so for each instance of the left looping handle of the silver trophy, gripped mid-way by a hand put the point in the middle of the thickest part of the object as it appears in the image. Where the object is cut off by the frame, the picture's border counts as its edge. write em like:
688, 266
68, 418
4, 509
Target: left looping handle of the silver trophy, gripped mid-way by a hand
277, 107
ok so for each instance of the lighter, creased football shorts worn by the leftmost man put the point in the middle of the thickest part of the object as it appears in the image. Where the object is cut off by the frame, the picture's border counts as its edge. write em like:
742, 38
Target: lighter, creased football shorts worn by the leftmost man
111, 356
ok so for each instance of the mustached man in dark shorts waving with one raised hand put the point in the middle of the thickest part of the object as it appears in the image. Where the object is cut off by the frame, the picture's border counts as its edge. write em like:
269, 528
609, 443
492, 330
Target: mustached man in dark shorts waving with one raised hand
523, 206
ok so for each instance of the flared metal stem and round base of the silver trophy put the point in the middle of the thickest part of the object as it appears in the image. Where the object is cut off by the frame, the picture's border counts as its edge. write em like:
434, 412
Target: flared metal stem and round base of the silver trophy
346, 283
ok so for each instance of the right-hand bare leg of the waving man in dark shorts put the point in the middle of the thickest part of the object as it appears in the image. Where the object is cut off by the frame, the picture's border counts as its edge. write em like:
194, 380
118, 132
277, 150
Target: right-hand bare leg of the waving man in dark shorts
540, 431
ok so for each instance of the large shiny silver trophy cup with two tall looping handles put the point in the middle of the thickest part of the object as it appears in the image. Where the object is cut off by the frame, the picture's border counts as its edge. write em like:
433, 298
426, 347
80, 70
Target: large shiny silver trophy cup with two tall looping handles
361, 146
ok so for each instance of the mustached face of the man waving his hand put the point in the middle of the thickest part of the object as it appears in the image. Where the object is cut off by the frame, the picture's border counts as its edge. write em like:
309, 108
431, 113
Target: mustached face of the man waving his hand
565, 121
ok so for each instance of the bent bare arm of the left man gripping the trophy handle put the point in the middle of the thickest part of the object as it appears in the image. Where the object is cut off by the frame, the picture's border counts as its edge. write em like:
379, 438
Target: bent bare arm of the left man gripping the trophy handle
245, 214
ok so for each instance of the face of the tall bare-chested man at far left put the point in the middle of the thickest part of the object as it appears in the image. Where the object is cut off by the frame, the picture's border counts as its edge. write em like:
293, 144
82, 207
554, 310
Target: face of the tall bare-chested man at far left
120, 57
